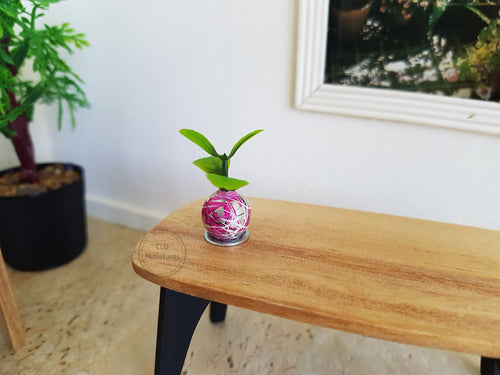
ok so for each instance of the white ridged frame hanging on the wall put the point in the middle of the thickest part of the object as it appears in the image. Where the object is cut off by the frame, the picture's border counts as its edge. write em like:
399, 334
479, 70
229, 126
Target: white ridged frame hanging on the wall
312, 94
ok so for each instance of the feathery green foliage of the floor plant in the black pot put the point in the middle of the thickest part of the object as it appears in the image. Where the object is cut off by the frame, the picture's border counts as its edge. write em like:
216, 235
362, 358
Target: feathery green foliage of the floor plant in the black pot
23, 43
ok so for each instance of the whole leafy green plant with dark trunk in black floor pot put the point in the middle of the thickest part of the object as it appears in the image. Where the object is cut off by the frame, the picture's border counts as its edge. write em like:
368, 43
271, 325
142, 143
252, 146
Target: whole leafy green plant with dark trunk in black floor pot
42, 216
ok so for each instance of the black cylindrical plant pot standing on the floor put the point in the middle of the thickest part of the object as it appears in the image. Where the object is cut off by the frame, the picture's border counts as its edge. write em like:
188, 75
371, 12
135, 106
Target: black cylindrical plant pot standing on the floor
44, 230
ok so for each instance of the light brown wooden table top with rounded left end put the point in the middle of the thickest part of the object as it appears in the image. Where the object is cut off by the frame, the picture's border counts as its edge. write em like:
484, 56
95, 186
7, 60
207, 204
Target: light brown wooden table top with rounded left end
406, 280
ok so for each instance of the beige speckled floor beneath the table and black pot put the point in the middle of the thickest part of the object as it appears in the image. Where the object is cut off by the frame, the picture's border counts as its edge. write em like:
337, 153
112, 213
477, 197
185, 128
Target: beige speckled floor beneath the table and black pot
95, 316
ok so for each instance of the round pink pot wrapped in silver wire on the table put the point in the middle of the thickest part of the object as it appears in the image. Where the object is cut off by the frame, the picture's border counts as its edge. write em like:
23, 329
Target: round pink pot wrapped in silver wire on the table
226, 215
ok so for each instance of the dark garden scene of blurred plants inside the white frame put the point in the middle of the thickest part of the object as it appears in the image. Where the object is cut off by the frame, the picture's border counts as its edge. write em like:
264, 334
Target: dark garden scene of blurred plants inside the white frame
445, 47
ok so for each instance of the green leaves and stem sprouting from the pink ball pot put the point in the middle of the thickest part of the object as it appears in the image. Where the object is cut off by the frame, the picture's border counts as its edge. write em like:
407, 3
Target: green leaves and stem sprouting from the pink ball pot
216, 165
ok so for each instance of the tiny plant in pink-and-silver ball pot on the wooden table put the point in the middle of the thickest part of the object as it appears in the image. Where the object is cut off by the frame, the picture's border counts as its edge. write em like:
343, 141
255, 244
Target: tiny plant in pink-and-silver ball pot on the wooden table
226, 213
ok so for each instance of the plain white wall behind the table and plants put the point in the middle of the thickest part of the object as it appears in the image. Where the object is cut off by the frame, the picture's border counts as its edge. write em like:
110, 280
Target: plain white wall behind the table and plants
224, 68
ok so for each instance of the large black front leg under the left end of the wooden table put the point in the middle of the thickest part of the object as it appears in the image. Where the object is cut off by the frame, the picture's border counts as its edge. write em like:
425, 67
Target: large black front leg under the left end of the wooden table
177, 319
